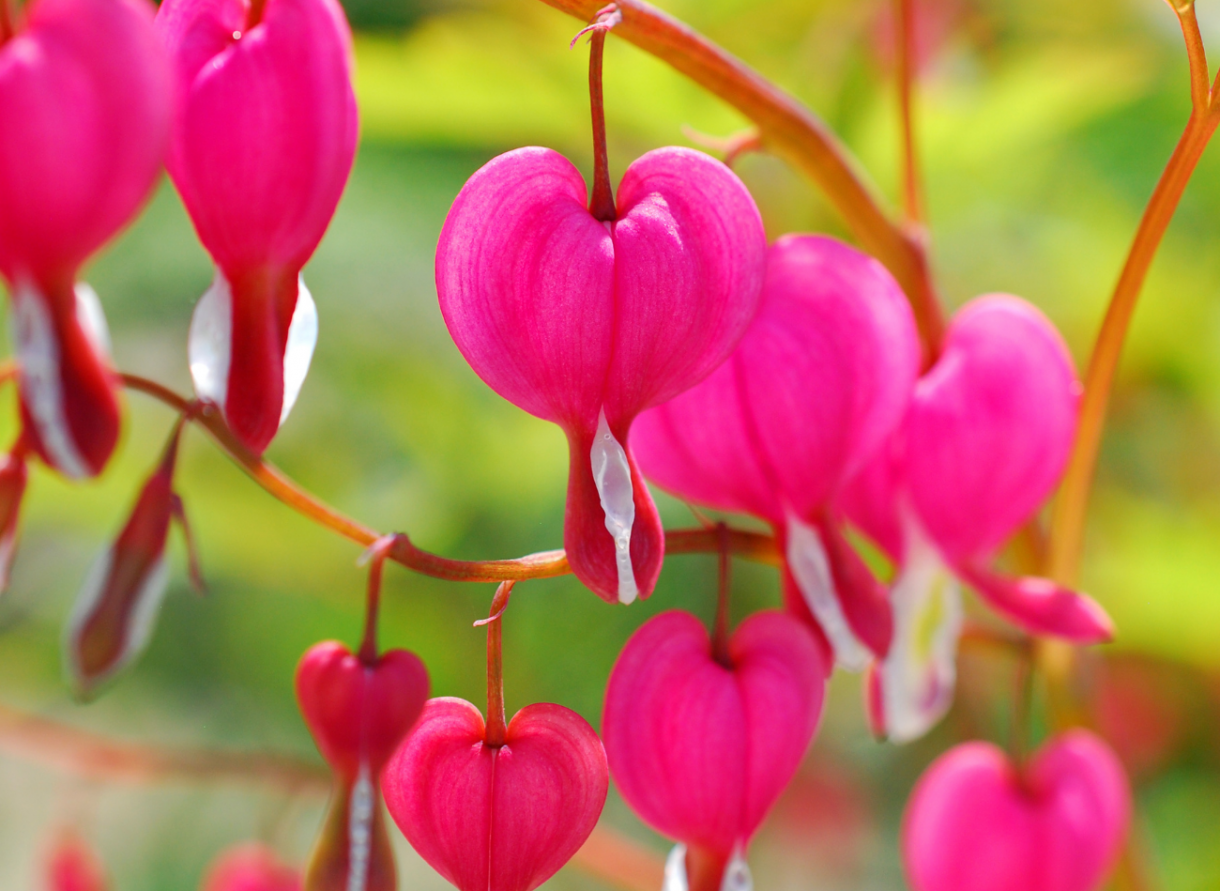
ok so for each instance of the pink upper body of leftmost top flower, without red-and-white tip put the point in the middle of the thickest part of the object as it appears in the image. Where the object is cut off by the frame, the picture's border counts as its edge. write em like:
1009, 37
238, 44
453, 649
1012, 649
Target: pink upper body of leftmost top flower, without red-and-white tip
85, 118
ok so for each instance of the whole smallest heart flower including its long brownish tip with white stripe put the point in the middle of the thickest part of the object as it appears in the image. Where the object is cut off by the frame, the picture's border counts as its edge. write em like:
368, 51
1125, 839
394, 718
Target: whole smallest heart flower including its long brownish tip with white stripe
359, 713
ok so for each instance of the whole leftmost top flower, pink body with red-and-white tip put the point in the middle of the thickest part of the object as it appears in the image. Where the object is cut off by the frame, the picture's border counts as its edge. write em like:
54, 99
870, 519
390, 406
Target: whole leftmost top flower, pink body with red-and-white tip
85, 117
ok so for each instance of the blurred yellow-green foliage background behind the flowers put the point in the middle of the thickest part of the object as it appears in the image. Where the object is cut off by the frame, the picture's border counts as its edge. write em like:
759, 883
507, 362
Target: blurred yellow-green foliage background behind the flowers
1045, 126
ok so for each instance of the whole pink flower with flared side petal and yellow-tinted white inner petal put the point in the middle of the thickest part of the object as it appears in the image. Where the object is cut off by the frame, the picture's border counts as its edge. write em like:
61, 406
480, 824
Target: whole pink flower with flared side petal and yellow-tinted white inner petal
985, 442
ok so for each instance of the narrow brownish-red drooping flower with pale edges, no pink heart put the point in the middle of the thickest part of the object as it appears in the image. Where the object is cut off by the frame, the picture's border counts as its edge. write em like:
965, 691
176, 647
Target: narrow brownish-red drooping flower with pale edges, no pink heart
115, 612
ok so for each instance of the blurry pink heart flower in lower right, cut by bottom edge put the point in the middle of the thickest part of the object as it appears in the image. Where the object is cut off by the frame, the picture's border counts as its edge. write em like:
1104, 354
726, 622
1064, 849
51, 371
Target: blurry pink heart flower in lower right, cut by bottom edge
979, 823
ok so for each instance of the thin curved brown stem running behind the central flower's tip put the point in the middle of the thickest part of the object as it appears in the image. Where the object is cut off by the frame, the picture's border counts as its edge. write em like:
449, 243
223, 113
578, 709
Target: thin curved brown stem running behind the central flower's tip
547, 565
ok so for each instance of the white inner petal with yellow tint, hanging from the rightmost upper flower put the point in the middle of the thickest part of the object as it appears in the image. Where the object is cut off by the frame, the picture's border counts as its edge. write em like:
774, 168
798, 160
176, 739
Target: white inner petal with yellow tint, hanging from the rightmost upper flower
920, 672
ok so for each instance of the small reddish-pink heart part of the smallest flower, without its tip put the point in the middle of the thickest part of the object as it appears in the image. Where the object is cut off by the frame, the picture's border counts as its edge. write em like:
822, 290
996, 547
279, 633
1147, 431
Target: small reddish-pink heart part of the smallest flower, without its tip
359, 713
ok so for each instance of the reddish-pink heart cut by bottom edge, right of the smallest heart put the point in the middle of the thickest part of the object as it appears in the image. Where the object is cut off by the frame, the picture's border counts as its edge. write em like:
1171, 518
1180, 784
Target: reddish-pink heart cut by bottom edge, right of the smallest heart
497, 818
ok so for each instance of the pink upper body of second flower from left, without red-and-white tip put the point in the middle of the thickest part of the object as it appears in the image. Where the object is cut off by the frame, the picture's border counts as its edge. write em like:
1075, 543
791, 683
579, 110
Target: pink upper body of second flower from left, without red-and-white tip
265, 130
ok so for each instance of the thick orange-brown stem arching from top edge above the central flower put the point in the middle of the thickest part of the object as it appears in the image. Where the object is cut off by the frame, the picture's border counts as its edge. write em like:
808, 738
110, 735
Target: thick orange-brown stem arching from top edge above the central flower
790, 130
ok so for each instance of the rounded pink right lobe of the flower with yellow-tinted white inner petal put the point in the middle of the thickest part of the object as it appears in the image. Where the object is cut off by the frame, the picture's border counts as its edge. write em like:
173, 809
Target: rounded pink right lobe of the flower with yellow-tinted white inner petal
991, 427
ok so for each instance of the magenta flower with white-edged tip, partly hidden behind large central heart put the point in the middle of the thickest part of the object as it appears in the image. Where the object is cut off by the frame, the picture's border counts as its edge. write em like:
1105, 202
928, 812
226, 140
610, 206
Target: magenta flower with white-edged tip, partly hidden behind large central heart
820, 380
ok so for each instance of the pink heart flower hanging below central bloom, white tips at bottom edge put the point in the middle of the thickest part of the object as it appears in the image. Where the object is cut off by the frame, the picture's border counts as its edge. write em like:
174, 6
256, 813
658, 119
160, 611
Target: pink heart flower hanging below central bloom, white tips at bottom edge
702, 746
